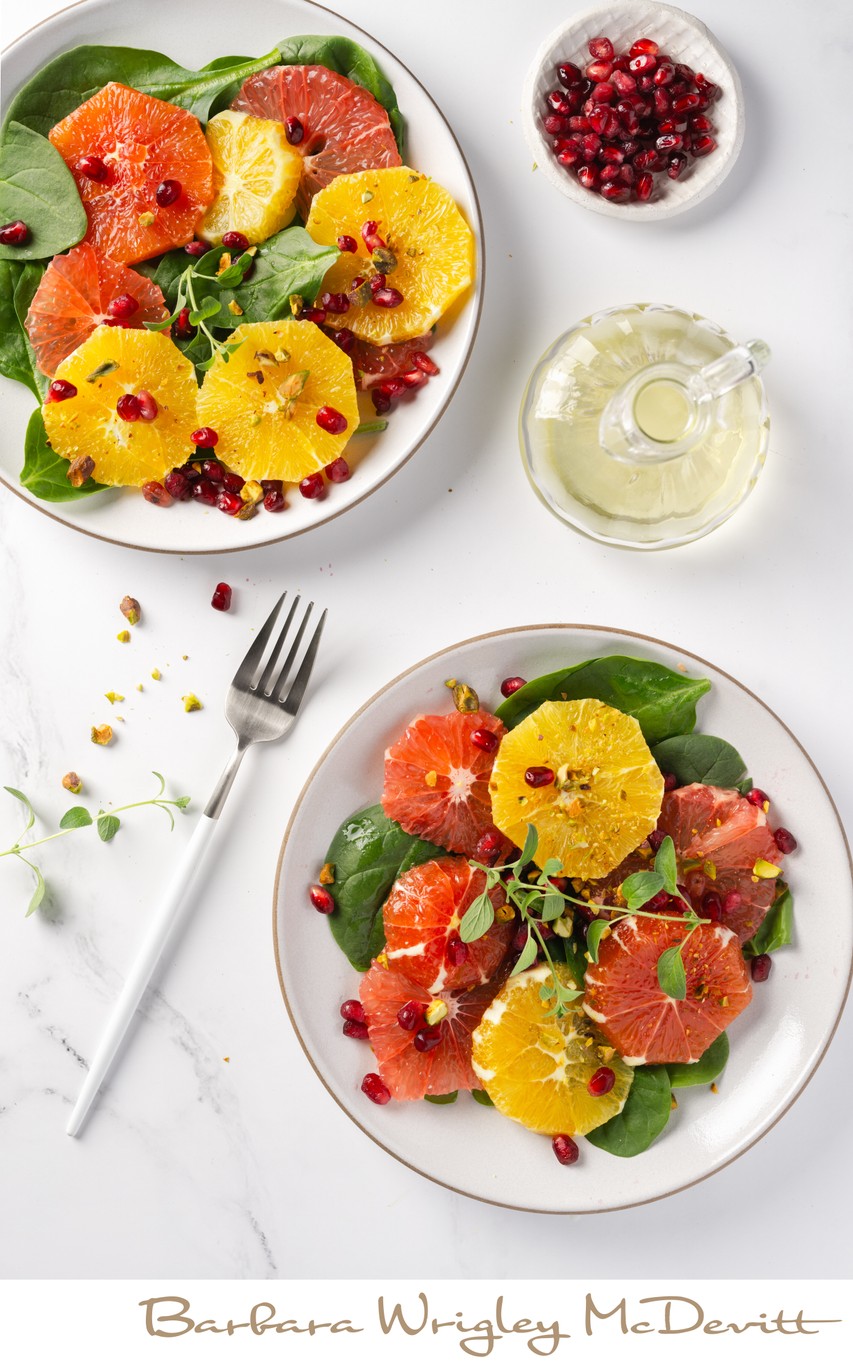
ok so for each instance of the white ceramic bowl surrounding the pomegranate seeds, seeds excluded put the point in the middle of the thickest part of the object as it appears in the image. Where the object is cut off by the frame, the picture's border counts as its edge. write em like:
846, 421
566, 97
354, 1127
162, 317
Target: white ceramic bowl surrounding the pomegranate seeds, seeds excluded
687, 40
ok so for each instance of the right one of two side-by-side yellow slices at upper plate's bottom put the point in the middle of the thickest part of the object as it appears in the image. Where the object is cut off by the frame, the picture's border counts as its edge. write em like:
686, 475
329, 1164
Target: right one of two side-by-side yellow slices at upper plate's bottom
267, 398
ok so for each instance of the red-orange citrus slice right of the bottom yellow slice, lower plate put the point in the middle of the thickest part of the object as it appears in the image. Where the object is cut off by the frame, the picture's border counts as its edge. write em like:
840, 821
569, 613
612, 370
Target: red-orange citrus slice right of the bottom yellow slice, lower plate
627, 1001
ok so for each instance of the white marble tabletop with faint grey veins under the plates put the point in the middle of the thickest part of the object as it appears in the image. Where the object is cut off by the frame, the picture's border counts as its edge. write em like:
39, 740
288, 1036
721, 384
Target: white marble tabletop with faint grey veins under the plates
200, 1167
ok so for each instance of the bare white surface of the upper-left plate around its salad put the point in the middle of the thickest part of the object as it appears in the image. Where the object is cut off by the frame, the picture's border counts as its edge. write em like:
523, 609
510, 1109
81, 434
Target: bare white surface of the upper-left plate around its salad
176, 29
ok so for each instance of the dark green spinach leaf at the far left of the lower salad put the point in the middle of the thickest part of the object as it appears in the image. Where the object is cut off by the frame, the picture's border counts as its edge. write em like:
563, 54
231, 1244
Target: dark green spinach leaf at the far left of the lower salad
370, 853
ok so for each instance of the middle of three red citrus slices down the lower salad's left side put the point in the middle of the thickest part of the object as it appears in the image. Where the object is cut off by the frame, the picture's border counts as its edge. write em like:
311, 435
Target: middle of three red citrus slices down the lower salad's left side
422, 920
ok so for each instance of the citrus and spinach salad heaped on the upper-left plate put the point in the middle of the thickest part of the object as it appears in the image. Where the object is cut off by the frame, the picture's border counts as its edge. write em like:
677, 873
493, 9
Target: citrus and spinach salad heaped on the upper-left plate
203, 271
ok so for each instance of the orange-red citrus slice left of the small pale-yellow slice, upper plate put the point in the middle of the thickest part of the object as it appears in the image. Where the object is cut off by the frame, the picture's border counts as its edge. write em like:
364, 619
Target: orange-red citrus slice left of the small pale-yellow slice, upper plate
137, 145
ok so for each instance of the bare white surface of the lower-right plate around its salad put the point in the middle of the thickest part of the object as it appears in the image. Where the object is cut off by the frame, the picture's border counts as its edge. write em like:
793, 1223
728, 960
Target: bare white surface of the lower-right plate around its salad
776, 1044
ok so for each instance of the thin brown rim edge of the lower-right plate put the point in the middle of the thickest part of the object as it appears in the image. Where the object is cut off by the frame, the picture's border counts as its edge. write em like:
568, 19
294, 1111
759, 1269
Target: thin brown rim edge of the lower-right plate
351, 722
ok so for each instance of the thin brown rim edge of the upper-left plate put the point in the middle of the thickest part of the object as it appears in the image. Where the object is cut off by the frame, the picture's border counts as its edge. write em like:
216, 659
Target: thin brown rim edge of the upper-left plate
478, 227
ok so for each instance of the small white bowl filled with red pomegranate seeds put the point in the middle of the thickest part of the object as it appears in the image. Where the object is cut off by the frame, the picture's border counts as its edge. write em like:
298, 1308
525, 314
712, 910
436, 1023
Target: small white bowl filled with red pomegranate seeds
634, 110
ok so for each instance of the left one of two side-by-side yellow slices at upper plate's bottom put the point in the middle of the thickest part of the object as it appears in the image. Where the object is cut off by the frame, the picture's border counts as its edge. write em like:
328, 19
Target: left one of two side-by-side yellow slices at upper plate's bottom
111, 364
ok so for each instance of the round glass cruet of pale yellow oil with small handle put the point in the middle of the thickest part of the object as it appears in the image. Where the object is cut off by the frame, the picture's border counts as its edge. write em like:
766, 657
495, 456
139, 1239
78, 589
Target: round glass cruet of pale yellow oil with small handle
646, 426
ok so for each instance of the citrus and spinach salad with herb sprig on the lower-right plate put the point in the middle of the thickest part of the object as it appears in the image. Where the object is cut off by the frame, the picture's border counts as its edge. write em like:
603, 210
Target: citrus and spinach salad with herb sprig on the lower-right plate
560, 906
